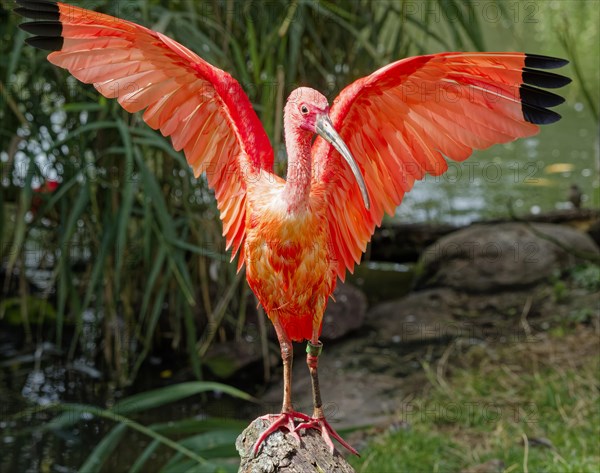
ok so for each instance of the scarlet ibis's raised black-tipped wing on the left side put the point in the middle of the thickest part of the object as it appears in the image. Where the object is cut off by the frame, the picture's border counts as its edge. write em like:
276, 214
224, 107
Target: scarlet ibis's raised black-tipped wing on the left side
203, 109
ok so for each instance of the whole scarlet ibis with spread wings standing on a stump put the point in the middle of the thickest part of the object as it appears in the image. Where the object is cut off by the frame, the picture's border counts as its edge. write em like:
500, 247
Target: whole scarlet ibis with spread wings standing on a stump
296, 236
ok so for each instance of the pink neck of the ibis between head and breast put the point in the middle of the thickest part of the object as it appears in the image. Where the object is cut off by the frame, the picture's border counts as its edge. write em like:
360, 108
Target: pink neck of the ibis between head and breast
297, 188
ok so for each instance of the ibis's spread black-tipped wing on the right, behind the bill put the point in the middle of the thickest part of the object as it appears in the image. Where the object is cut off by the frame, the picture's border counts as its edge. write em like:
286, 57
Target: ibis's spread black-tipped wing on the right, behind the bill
401, 120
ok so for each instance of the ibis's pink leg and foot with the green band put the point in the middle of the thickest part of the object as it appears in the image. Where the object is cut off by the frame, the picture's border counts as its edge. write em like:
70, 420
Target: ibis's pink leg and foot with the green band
318, 421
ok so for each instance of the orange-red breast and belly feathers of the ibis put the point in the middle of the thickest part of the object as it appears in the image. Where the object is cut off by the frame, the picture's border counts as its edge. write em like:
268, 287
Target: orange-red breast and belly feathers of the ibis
288, 262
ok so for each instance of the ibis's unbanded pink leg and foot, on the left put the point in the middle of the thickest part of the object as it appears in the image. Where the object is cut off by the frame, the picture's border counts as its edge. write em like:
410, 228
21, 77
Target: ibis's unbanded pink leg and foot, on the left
286, 419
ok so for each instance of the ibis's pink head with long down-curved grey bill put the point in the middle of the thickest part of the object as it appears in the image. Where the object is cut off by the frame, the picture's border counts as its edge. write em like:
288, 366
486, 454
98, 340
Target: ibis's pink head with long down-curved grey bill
308, 109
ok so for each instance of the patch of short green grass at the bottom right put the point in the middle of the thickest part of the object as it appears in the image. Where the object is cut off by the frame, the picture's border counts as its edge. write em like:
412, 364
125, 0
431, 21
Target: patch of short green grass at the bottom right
531, 407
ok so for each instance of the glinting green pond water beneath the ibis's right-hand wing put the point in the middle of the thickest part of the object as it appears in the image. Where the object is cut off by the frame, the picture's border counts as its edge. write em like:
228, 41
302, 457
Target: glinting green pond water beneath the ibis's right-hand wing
534, 174
